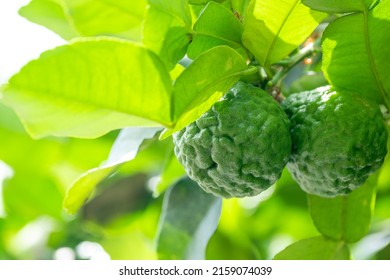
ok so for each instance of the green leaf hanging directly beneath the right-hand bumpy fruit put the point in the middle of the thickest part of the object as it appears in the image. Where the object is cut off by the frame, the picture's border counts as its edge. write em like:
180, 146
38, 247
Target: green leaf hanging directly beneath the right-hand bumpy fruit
345, 218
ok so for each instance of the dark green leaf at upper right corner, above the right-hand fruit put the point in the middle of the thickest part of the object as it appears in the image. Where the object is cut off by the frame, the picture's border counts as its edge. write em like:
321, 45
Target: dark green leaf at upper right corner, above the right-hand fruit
364, 67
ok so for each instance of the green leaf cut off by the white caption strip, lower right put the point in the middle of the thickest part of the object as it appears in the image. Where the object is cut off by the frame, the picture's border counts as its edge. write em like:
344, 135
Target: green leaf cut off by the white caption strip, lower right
316, 248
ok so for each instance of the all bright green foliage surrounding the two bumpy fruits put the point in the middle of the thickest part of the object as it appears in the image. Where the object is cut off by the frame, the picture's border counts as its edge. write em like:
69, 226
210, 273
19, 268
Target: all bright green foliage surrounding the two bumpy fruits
102, 109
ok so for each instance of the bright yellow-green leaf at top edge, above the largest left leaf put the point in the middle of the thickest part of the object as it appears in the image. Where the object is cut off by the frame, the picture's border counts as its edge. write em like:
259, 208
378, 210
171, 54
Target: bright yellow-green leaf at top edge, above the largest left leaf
83, 18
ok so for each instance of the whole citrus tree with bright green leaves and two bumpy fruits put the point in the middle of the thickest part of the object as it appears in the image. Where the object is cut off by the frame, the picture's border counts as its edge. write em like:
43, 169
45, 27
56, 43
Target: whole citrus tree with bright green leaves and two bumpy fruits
192, 129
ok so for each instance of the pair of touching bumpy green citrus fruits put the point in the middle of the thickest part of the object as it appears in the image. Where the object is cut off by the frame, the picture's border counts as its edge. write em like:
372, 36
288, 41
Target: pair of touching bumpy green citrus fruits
330, 141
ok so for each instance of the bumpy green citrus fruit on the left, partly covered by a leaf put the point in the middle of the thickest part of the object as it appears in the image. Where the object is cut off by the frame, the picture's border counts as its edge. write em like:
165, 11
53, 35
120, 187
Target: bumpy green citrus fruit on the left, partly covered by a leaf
239, 147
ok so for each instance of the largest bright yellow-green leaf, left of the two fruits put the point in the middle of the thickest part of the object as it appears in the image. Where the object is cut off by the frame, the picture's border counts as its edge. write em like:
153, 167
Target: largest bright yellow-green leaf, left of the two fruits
89, 88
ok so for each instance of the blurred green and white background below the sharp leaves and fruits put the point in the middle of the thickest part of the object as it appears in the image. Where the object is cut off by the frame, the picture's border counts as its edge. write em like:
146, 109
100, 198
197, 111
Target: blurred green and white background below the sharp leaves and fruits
121, 221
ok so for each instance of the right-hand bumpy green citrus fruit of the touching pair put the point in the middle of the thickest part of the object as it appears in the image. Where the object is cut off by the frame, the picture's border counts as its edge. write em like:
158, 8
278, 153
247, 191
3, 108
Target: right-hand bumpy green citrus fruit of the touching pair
339, 139
